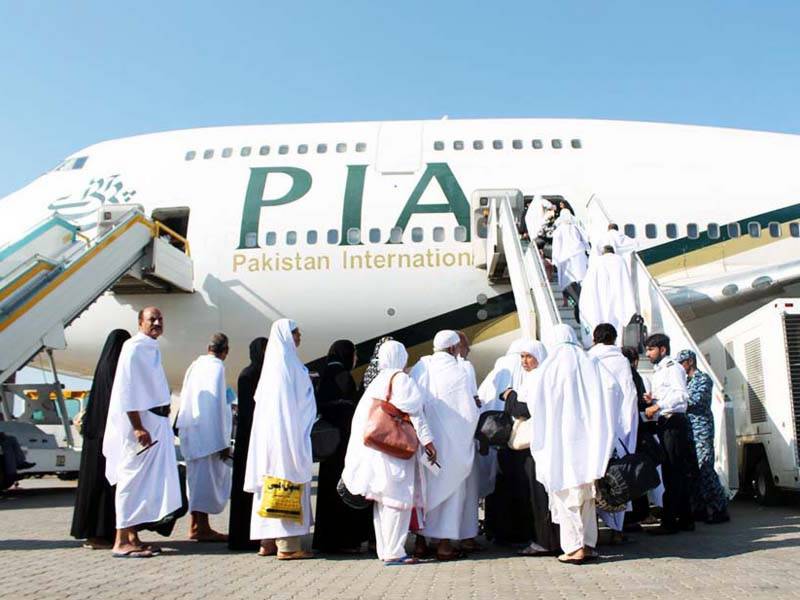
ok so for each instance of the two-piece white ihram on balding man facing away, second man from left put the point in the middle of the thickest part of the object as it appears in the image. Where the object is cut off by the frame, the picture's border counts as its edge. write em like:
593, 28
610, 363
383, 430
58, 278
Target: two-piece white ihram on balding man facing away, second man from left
204, 428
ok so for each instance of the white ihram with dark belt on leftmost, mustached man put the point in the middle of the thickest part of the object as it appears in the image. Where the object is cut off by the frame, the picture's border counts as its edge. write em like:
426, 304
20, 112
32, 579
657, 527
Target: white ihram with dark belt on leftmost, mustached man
148, 488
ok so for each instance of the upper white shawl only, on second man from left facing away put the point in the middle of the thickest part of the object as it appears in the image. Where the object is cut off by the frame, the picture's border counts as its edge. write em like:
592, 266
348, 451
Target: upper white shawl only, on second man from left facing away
204, 421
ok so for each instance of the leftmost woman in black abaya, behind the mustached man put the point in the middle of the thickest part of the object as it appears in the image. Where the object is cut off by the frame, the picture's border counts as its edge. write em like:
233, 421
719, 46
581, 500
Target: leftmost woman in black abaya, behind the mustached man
94, 518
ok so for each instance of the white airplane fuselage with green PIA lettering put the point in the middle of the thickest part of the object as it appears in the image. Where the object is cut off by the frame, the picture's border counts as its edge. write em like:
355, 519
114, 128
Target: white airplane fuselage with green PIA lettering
270, 232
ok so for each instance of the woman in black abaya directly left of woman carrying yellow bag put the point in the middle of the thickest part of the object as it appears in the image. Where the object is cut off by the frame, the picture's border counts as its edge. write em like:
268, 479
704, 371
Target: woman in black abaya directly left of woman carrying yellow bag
241, 501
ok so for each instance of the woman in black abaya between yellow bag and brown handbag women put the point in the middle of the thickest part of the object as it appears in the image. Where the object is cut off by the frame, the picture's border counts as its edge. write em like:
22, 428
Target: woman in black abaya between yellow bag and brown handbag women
338, 528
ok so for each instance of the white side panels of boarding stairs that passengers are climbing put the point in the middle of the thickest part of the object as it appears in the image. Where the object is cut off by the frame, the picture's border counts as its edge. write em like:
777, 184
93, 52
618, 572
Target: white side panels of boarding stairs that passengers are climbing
510, 260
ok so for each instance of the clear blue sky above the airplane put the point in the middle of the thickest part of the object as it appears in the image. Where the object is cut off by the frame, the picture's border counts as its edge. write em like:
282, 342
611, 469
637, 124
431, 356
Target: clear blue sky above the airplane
74, 73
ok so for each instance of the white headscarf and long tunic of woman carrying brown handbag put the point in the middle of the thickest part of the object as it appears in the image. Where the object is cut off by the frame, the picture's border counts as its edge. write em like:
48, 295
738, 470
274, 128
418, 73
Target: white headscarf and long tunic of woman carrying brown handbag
369, 472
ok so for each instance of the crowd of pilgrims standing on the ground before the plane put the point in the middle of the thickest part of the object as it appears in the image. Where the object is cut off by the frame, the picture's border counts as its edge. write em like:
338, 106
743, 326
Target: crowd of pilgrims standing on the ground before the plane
581, 407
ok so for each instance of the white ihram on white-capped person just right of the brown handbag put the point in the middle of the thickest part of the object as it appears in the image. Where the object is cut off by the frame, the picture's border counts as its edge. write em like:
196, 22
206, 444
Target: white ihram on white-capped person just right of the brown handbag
452, 416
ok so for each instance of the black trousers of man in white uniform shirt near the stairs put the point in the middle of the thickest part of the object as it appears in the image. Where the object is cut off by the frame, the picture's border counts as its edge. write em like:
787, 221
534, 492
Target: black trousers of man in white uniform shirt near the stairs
673, 431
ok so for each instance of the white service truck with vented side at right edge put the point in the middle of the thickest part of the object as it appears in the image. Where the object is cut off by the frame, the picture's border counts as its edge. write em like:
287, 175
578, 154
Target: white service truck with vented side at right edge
758, 360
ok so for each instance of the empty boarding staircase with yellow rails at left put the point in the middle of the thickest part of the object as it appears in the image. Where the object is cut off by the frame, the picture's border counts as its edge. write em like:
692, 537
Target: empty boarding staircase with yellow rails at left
53, 273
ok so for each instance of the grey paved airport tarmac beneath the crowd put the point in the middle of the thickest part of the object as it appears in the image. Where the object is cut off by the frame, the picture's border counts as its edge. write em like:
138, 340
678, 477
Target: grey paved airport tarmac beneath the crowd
757, 555
